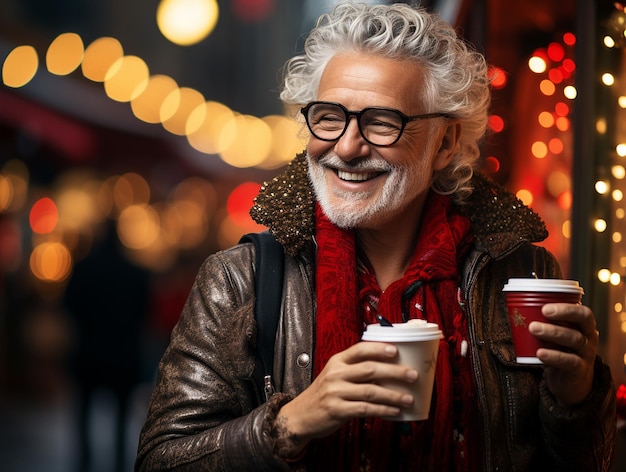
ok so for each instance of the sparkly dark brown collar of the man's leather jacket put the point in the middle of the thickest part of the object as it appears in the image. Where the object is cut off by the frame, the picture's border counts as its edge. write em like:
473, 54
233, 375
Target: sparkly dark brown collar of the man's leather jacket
500, 221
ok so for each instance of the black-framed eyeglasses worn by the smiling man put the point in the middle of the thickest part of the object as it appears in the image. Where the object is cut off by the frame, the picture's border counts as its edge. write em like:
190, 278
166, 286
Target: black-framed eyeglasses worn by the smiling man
328, 121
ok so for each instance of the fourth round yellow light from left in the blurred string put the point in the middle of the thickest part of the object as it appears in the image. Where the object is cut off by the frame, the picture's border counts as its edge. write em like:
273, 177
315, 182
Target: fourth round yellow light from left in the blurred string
126, 79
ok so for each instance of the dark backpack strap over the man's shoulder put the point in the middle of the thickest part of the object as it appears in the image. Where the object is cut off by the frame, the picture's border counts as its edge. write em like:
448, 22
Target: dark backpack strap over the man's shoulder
268, 286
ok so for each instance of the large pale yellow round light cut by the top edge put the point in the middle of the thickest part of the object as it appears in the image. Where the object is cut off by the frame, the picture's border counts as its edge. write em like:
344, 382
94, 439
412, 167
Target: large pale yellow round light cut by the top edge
187, 22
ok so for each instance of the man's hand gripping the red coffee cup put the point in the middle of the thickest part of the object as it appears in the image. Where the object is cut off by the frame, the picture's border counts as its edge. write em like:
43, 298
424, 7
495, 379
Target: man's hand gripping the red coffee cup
569, 371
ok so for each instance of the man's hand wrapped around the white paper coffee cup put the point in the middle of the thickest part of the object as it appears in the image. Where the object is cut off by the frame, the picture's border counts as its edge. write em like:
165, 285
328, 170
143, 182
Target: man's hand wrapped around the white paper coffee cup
345, 389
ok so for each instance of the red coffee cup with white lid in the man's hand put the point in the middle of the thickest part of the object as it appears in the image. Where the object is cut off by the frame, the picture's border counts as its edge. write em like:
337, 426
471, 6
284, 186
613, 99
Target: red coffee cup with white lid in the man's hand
524, 299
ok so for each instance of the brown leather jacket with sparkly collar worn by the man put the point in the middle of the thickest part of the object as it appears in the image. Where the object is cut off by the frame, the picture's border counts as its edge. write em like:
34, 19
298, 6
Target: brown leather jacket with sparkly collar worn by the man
206, 412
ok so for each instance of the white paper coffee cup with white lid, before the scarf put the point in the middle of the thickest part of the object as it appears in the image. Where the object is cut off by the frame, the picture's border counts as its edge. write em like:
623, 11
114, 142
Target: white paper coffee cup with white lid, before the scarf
418, 347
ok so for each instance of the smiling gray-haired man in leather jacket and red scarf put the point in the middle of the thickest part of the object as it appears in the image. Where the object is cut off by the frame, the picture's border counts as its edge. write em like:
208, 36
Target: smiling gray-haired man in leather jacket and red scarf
383, 214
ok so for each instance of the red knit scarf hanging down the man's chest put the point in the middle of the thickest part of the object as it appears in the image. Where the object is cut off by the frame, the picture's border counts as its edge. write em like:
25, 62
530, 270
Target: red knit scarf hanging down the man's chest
348, 298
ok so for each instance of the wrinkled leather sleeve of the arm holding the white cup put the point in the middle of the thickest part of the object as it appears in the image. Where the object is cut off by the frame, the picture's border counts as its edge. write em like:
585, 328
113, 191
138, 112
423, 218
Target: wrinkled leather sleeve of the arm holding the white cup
202, 414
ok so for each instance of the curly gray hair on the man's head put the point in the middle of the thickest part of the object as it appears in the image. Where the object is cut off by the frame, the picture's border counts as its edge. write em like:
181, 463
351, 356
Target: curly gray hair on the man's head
456, 75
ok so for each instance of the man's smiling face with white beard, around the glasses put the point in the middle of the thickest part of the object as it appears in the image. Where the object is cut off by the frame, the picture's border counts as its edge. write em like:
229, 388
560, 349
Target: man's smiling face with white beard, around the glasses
360, 185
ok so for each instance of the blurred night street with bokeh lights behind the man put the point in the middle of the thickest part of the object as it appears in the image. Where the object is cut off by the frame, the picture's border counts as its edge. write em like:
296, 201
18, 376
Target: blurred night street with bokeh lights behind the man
130, 150
